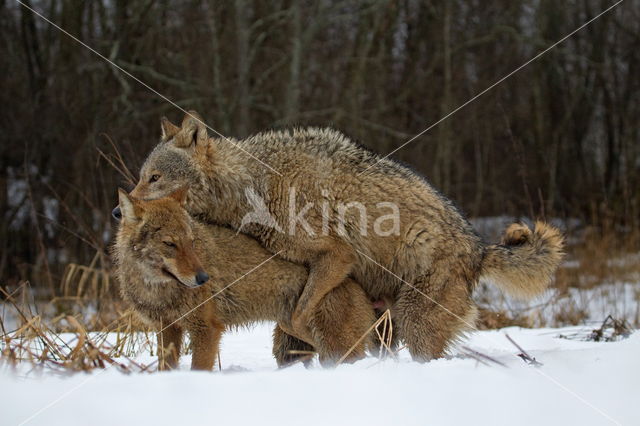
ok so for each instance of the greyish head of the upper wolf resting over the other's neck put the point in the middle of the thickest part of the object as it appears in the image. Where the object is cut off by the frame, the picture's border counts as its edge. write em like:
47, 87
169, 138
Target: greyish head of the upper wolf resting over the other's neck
171, 164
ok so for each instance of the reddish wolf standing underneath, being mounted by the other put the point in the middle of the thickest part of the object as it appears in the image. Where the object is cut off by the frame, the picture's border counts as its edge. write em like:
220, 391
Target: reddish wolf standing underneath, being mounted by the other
183, 275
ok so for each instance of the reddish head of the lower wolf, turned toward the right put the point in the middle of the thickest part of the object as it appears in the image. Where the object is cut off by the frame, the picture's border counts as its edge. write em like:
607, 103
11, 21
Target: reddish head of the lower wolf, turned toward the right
158, 235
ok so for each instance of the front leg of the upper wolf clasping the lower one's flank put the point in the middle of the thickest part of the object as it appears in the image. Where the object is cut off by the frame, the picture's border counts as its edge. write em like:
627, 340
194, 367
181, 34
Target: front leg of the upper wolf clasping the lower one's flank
330, 261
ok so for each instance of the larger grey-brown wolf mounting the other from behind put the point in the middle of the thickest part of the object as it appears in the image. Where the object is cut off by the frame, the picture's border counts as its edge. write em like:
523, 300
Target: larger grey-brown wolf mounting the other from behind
343, 210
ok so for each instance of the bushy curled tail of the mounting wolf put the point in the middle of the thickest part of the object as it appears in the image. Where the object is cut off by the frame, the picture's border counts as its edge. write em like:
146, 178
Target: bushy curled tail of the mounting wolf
524, 263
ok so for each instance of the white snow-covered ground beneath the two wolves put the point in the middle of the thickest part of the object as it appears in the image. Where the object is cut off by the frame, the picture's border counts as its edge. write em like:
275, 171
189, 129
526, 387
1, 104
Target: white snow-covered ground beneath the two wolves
583, 383
